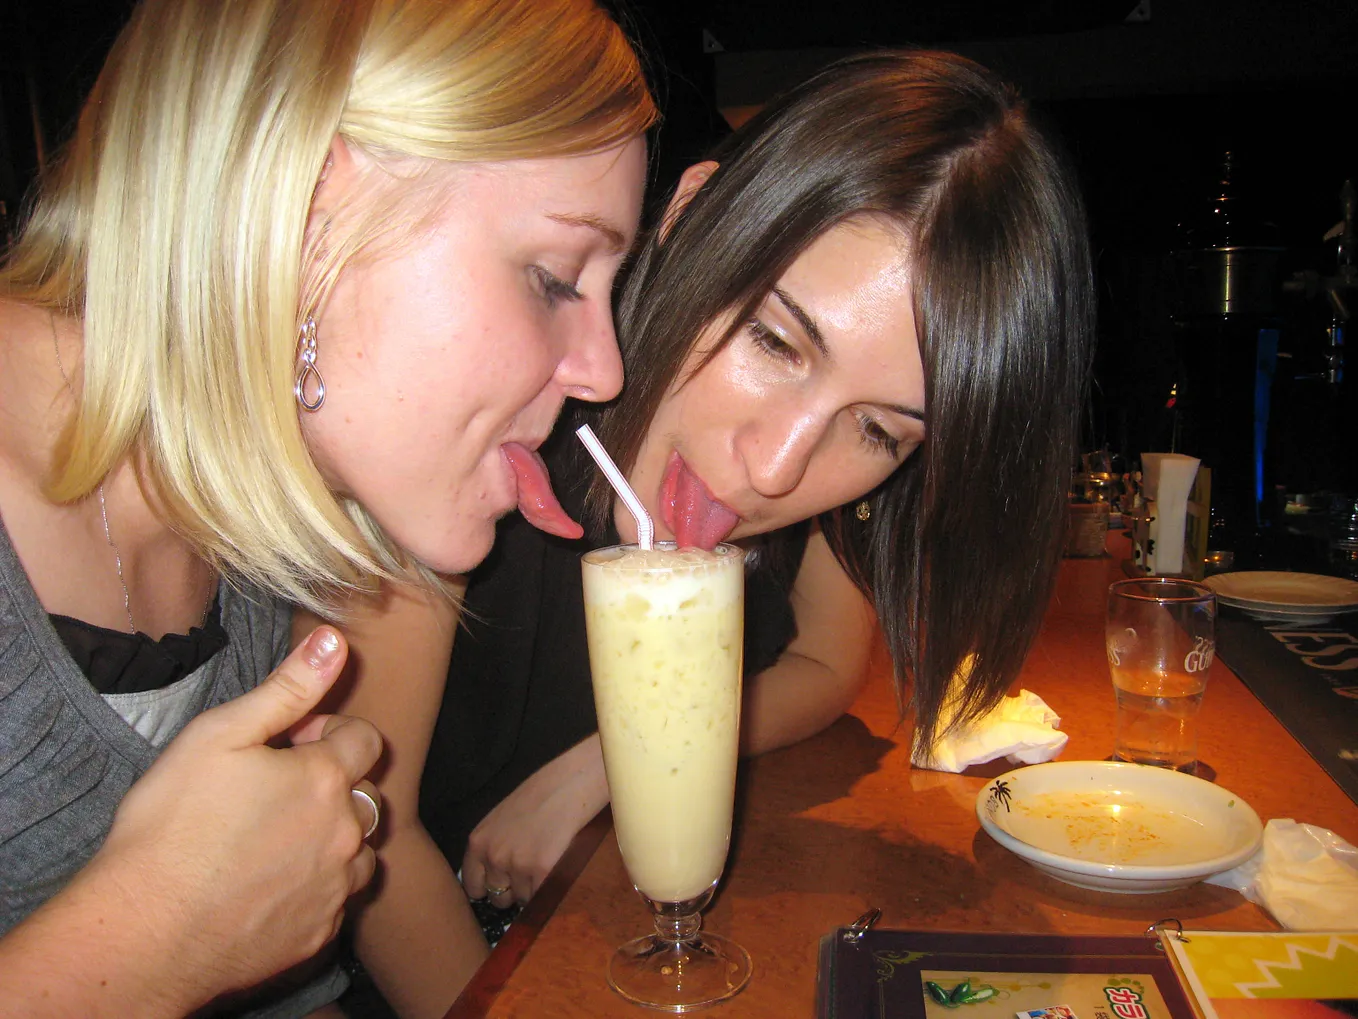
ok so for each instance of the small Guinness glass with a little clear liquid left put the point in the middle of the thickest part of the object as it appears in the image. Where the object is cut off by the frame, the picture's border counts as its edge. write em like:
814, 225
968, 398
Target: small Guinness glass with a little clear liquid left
1160, 641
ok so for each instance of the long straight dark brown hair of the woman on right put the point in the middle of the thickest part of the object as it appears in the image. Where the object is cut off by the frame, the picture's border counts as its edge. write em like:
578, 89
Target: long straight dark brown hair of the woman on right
961, 552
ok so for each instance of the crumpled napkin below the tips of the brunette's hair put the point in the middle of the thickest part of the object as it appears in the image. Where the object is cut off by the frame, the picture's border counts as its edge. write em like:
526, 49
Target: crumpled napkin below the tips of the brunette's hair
1022, 729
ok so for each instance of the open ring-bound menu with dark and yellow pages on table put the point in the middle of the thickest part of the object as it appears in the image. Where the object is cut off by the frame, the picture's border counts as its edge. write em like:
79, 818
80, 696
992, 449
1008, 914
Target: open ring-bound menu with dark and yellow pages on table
1178, 975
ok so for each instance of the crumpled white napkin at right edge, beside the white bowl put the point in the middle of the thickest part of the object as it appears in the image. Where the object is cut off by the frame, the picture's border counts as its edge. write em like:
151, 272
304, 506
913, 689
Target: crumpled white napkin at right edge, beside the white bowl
1307, 877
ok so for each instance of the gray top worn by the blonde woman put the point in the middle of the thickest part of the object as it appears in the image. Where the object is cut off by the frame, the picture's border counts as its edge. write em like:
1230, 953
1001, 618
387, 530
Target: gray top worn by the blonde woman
69, 757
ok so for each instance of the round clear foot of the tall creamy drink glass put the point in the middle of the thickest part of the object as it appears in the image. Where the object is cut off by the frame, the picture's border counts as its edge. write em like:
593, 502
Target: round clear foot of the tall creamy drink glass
680, 976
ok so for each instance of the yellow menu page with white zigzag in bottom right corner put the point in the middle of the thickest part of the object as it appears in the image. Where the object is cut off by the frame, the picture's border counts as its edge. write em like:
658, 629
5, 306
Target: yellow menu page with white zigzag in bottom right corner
1277, 975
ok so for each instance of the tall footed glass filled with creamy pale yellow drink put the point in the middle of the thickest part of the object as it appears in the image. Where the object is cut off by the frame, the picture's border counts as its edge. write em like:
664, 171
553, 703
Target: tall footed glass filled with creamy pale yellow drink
666, 638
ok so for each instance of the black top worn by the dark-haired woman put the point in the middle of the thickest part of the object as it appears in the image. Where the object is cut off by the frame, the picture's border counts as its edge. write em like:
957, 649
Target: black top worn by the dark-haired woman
519, 694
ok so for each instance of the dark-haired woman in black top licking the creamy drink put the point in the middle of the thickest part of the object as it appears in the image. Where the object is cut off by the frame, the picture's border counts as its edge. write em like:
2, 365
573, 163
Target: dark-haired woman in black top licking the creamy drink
856, 343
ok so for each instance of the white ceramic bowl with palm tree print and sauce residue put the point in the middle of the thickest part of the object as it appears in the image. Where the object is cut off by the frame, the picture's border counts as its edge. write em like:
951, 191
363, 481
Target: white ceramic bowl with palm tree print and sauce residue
1118, 827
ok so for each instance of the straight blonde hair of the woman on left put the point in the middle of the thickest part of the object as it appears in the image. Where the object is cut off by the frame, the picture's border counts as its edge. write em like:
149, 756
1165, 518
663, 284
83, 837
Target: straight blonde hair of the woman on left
176, 228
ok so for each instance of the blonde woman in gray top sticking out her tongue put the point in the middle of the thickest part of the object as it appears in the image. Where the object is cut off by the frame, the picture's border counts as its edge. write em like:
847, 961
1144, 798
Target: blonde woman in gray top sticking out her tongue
291, 317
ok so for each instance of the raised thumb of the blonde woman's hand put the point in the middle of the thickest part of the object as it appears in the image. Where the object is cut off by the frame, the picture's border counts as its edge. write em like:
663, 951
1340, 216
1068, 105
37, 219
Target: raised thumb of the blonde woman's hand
287, 696
